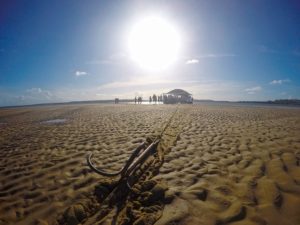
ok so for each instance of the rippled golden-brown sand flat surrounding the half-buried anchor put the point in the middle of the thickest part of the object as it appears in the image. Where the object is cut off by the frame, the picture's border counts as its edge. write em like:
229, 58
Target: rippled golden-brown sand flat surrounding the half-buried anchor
220, 164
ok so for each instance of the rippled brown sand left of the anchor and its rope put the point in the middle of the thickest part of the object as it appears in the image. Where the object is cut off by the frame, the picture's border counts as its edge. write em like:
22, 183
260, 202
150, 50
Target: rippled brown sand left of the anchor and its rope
43, 168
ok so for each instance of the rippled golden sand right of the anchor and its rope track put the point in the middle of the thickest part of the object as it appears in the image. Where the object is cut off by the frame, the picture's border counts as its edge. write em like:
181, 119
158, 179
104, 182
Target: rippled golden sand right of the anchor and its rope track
234, 165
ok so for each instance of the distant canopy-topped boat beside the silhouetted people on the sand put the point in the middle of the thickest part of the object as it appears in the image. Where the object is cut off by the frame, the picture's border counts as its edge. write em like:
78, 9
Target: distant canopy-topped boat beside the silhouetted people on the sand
177, 96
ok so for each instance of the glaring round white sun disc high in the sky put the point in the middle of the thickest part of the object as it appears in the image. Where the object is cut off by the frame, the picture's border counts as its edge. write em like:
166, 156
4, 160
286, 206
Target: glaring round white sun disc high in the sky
153, 43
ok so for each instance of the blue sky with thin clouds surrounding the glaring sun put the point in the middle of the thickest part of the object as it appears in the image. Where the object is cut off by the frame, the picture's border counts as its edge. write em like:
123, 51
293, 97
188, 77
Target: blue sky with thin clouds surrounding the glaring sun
60, 51
